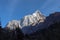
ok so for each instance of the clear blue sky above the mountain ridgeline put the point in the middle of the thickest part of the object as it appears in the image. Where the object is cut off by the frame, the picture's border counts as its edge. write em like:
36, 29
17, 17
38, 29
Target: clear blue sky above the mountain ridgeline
16, 9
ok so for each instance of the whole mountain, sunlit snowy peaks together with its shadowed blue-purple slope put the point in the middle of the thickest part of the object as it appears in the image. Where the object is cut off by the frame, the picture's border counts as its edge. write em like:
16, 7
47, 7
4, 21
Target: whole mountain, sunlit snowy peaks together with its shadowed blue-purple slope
31, 23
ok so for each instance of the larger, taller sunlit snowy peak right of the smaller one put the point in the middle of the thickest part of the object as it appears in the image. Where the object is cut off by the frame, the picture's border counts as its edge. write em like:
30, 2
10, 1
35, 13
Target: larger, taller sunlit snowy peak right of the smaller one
33, 19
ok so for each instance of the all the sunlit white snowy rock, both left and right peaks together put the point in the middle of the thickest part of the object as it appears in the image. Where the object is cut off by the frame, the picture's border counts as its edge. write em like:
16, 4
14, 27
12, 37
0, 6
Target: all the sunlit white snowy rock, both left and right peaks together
27, 20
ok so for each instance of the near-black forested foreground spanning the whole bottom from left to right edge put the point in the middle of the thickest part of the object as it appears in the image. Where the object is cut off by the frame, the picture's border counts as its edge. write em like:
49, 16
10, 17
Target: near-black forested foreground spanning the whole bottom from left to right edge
51, 33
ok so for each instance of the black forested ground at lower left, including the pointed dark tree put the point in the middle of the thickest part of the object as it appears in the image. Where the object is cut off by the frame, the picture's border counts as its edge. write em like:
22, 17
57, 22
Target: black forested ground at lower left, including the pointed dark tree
11, 34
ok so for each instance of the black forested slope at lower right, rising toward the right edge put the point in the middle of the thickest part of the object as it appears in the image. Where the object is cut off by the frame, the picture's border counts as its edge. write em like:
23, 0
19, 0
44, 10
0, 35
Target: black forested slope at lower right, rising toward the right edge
51, 33
